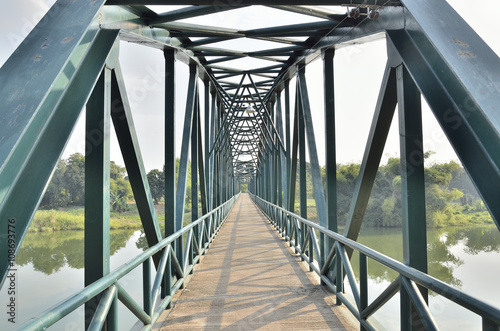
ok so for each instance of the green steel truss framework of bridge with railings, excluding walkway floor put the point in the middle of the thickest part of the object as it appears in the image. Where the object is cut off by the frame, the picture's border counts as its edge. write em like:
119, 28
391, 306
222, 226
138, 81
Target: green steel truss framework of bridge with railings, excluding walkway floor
70, 62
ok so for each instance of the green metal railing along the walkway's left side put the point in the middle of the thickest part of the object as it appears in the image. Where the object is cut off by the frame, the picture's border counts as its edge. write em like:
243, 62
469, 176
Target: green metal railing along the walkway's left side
157, 296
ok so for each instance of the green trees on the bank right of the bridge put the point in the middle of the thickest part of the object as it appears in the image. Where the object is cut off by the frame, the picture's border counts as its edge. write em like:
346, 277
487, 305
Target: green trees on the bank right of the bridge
450, 195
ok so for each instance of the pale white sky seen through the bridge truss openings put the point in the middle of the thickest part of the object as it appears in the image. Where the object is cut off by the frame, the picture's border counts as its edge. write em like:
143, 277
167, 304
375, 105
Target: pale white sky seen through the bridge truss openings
358, 74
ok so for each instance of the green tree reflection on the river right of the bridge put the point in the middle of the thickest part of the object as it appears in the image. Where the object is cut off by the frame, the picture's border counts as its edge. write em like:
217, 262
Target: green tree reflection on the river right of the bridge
442, 259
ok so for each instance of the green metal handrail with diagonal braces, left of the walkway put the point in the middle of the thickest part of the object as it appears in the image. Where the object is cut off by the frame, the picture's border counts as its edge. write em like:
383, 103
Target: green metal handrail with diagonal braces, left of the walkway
110, 281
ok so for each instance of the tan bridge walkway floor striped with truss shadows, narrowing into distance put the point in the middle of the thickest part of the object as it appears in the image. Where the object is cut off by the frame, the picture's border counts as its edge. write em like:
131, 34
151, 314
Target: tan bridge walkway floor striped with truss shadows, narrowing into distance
250, 280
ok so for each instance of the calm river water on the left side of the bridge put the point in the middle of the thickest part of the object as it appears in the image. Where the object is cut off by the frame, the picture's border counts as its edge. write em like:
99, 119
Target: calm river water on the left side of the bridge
50, 269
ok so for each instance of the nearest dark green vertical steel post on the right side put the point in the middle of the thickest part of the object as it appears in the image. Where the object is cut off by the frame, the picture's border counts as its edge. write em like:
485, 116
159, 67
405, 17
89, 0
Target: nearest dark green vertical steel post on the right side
412, 187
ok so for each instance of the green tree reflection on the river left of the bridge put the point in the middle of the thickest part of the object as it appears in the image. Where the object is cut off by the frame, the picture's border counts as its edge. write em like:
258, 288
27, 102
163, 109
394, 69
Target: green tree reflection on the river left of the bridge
51, 252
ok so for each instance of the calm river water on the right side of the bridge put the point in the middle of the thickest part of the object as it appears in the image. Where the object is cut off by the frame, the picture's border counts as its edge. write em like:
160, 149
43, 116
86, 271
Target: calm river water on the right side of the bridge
466, 258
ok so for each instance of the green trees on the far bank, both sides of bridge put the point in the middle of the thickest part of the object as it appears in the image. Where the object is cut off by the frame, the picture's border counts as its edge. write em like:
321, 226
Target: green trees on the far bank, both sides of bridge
451, 198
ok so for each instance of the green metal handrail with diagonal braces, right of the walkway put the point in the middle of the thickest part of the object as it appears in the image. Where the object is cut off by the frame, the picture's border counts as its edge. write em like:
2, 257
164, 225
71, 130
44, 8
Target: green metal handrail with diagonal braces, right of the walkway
285, 221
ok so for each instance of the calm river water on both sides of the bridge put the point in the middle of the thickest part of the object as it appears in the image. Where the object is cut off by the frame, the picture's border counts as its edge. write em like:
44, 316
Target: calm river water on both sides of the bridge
50, 268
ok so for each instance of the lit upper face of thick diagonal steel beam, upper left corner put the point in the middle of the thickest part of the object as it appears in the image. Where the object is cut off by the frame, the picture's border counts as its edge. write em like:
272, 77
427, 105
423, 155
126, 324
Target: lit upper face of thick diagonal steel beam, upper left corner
37, 64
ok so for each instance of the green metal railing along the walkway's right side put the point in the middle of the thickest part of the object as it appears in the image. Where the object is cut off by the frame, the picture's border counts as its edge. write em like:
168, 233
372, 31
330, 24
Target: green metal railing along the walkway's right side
335, 265
